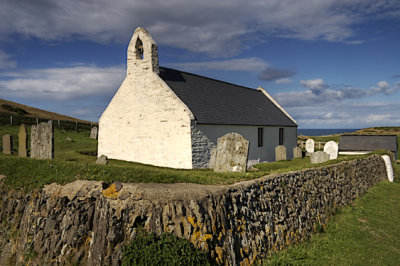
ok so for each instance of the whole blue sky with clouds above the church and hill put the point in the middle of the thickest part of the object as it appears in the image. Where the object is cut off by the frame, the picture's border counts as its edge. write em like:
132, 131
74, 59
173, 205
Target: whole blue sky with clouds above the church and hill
330, 63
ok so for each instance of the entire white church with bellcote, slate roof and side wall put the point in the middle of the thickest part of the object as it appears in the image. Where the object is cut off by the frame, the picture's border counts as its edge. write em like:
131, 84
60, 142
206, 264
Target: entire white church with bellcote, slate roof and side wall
171, 118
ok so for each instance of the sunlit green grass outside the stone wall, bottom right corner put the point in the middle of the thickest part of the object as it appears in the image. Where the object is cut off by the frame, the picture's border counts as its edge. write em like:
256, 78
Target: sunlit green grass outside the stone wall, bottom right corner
366, 233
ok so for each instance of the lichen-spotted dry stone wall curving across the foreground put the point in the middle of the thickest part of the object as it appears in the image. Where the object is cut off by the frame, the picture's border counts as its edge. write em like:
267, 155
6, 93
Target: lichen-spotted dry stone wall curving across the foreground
89, 222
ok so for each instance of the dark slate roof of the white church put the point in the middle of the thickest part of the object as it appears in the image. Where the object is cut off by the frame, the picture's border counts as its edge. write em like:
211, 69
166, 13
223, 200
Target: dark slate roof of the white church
217, 102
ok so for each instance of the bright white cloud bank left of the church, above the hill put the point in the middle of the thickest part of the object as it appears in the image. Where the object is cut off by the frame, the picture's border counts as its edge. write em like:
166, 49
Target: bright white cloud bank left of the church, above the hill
62, 83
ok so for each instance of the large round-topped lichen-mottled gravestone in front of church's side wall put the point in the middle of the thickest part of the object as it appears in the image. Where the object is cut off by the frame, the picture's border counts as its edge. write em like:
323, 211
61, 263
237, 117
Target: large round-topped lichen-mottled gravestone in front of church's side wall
232, 152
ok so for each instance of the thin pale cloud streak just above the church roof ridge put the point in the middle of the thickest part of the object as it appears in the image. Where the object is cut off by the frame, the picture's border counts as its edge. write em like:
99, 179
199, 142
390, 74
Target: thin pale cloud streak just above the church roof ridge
252, 64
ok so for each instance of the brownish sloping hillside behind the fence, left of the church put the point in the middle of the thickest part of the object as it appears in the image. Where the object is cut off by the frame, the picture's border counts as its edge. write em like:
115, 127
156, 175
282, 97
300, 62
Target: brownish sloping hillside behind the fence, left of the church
20, 110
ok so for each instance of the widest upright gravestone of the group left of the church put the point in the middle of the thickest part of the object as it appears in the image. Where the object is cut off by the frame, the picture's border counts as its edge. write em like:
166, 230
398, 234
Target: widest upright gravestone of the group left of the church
42, 141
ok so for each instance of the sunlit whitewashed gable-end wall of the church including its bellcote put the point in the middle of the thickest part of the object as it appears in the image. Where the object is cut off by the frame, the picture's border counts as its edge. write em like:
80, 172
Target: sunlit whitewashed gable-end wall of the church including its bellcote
146, 122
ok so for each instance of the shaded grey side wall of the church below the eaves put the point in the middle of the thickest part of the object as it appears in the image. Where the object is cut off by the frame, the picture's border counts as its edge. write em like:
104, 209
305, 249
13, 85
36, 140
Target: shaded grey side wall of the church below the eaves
204, 138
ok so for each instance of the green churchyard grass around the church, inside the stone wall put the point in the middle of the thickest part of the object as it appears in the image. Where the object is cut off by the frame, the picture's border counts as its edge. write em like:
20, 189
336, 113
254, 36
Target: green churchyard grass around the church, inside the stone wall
72, 162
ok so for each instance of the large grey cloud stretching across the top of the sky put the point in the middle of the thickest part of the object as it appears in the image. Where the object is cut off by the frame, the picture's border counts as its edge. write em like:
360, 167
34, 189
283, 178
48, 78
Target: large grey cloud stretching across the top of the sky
221, 29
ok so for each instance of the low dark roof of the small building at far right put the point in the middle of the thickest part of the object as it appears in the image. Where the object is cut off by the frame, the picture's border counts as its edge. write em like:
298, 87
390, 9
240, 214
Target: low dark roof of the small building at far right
368, 143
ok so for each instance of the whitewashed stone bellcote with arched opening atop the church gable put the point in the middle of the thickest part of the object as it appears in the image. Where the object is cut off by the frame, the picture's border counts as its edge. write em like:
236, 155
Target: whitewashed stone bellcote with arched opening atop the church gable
142, 53
